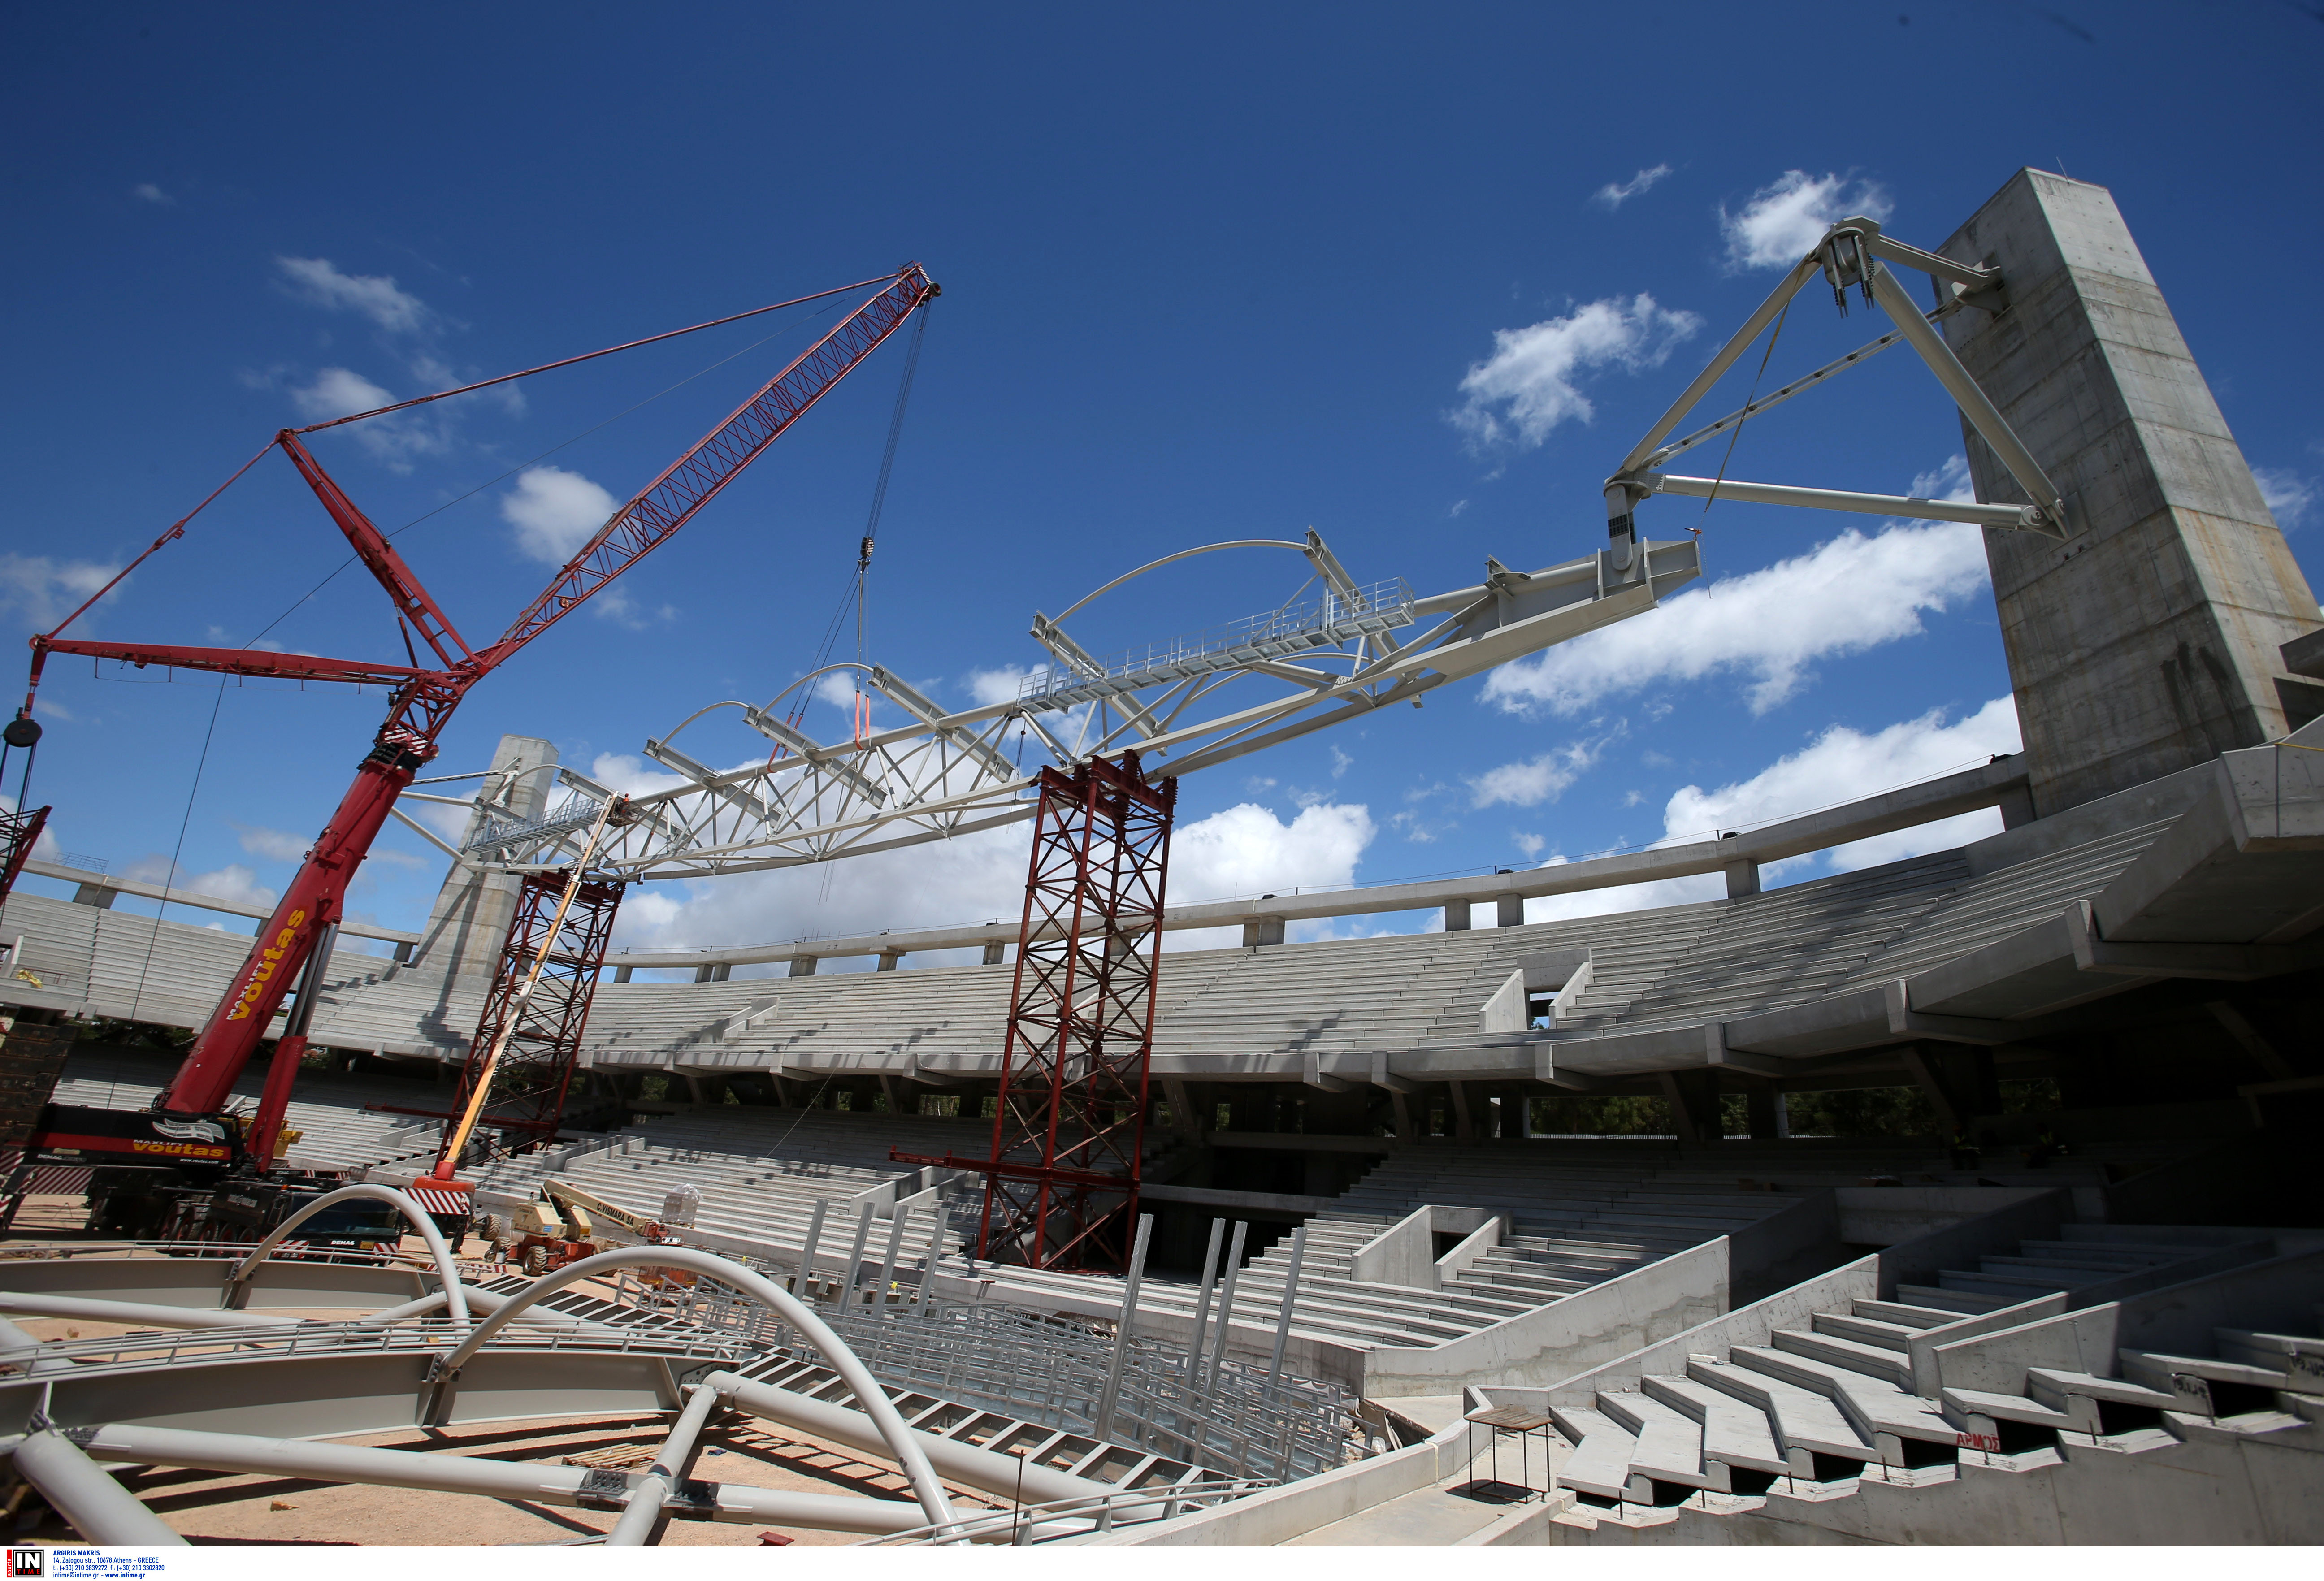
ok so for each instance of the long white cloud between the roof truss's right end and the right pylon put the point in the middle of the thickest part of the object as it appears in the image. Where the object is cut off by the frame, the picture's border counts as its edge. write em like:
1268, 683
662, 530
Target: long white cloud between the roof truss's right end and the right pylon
1844, 596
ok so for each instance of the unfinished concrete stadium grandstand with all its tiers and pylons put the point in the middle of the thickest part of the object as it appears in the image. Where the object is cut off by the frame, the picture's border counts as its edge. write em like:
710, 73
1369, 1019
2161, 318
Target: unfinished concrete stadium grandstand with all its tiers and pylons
2088, 1268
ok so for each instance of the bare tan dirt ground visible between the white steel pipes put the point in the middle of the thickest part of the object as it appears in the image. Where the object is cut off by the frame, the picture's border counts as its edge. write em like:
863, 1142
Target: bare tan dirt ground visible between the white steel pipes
231, 1510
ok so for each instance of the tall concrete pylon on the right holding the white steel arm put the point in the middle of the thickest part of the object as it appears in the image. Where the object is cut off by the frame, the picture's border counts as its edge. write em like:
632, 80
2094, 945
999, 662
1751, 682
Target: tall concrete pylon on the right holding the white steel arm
2146, 643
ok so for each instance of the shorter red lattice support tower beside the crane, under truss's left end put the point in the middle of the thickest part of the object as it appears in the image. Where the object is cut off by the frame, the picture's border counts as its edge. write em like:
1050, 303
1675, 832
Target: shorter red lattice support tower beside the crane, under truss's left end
545, 1047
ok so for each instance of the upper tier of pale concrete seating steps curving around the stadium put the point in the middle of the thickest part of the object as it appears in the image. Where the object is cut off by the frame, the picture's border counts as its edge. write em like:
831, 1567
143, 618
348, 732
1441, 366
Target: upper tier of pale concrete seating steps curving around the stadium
1226, 1010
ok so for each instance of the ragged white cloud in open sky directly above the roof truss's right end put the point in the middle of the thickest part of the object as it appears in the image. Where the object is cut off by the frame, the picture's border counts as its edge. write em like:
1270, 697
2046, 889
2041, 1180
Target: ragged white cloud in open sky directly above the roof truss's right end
1528, 385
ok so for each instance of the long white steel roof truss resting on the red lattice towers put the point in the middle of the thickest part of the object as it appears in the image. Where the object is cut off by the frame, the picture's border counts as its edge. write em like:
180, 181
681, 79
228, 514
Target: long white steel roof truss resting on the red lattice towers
1330, 661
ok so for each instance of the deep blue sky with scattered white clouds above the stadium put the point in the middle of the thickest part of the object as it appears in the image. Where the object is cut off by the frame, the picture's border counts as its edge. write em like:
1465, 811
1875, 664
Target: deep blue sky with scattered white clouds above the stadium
1414, 278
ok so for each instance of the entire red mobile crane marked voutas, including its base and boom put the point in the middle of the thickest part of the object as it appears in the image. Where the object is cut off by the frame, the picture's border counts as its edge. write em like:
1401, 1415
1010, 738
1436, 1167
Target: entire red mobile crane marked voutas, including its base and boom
185, 1124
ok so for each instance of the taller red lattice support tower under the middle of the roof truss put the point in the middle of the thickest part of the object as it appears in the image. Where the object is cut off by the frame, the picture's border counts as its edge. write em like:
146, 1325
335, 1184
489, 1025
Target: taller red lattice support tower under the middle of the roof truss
1063, 1178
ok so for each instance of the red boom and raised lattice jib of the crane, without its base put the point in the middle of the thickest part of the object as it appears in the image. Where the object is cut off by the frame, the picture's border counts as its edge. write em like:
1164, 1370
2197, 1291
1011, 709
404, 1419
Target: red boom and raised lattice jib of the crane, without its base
426, 699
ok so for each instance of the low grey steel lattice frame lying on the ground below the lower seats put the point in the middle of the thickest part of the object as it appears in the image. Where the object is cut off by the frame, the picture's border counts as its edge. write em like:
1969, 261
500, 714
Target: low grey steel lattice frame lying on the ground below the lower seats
1049, 1371
